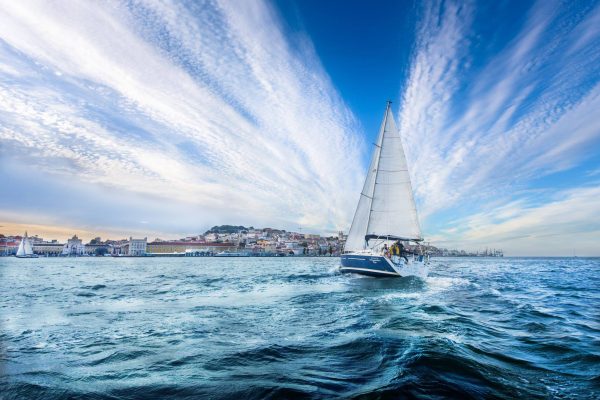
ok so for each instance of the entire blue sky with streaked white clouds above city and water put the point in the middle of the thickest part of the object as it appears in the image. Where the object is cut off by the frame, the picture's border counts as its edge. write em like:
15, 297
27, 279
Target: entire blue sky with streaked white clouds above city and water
163, 118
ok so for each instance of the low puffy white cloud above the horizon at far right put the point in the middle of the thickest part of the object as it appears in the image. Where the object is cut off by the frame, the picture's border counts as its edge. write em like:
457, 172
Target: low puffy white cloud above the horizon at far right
569, 222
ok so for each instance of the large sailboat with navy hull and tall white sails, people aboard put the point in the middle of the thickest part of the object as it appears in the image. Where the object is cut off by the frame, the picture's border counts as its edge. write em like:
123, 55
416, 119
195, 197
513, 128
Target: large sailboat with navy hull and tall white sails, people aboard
386, 214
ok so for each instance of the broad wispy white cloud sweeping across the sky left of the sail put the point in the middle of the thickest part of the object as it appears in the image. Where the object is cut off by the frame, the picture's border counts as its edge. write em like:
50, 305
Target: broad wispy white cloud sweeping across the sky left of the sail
206, 104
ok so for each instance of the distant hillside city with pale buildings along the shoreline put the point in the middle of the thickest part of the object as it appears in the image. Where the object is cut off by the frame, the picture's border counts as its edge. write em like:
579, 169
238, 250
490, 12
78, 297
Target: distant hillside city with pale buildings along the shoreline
248, 240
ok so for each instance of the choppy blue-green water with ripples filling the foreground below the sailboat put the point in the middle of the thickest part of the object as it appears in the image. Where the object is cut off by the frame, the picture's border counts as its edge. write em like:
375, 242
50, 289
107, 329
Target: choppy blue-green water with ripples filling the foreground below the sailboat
254, 328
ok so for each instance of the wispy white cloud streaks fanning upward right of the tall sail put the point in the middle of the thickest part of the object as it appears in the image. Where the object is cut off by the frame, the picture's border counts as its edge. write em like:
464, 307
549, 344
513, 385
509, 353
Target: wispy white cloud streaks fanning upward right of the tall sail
479, 127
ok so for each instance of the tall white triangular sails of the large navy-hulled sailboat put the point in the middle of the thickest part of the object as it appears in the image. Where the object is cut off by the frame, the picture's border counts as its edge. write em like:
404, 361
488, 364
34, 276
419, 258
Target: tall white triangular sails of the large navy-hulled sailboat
386, 206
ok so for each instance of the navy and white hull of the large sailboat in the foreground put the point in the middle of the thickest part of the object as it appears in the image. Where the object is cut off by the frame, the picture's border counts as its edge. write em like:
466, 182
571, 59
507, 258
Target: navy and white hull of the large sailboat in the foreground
379, 266
